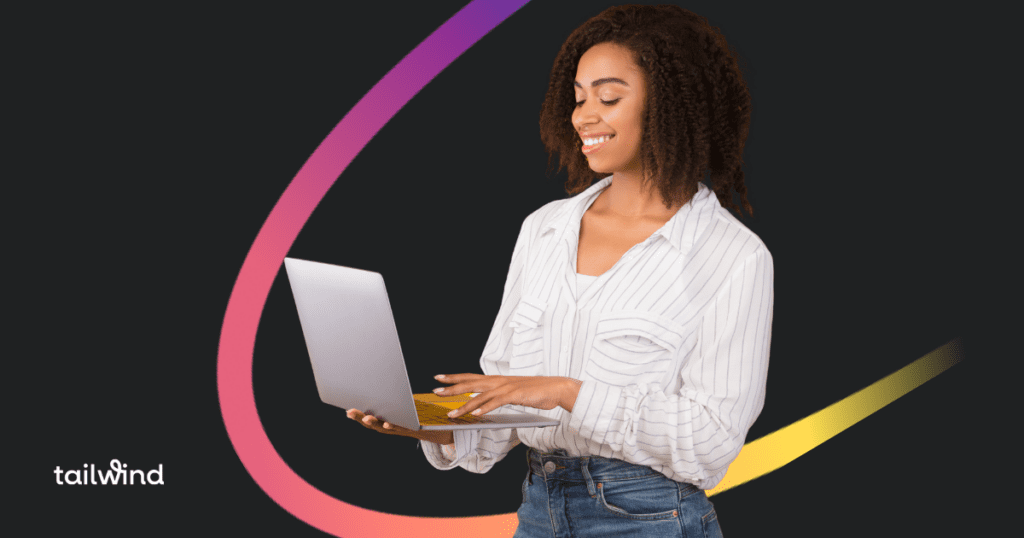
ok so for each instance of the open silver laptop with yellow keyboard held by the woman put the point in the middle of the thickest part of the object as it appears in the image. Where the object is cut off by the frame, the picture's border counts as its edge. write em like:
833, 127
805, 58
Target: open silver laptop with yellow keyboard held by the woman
354, 347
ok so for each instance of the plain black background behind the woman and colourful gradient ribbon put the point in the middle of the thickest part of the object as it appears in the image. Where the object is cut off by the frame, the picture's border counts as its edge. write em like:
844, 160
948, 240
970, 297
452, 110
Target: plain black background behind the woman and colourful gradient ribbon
156, 141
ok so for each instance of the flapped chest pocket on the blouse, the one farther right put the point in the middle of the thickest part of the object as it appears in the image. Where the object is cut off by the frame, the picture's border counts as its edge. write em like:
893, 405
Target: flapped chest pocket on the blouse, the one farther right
634, 348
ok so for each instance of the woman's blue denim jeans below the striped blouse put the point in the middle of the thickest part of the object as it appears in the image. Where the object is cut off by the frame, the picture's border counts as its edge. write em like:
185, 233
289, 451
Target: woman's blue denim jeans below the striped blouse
567, 498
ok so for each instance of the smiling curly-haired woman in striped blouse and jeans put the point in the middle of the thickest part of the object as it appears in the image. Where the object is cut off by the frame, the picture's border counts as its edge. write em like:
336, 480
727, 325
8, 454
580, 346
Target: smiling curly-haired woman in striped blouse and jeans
638, 313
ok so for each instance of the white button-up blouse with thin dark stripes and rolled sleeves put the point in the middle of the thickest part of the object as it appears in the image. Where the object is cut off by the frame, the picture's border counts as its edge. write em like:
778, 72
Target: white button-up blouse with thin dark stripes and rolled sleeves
671, 344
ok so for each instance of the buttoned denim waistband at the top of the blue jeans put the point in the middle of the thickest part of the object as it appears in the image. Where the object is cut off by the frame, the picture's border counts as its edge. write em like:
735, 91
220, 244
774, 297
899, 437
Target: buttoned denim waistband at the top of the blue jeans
560, 466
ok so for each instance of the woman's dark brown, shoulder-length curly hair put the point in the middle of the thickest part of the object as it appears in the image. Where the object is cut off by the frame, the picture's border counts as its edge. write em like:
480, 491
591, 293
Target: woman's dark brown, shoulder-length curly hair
698, 113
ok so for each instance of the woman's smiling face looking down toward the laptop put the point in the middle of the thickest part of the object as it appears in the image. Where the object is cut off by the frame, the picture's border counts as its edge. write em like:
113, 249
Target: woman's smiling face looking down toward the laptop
611, 95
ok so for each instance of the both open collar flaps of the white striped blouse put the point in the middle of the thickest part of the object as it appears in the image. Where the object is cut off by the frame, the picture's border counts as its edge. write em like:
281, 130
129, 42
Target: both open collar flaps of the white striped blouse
681, 231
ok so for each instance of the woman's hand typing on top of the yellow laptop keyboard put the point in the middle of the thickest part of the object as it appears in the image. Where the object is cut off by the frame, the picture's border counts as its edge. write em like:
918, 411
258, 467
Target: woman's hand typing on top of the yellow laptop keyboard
497, 391
